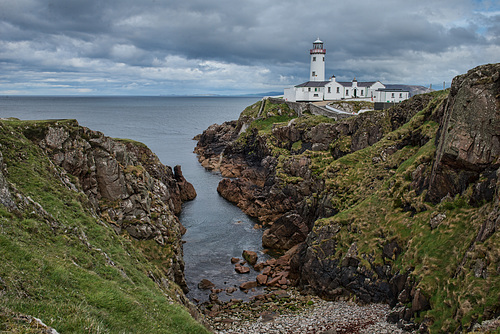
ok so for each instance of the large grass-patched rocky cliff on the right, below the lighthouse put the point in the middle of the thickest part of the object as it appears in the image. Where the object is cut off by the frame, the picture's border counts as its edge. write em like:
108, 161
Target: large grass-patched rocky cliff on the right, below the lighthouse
397, 206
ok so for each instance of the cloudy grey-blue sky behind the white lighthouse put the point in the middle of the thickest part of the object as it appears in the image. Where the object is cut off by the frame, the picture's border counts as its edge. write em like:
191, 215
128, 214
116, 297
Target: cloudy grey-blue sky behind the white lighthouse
233, 47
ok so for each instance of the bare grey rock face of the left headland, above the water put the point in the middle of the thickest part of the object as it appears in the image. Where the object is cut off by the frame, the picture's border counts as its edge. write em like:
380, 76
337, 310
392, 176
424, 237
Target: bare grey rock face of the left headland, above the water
126, 184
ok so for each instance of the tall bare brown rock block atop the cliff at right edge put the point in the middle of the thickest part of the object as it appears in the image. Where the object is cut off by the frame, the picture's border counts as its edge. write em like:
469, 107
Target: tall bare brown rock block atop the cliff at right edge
468, 140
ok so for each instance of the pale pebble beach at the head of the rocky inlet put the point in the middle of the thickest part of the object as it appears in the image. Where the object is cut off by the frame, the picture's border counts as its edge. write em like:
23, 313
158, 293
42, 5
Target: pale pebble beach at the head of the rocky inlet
290, 312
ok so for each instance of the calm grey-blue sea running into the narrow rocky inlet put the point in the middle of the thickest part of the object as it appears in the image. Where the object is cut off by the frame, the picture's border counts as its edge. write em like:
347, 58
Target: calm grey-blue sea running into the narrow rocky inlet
216, 229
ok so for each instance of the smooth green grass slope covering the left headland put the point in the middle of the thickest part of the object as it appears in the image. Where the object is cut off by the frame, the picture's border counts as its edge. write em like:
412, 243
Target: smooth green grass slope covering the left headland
61, 264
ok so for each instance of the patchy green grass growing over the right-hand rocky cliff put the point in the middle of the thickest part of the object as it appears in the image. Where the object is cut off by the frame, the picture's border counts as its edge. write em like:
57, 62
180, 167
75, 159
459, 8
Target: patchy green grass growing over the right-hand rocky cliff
376, 202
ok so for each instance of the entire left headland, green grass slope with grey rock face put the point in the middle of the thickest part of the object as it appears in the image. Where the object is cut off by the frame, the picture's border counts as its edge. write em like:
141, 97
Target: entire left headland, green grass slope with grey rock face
89, 222
